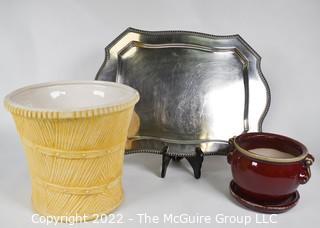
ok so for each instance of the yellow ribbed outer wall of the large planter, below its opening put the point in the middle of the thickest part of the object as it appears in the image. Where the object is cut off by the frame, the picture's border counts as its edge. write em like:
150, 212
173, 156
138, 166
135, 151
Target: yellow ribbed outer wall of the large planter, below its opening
75, 163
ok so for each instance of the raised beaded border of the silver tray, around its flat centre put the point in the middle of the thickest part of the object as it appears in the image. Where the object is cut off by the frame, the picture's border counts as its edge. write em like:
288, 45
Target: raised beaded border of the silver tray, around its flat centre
255, 109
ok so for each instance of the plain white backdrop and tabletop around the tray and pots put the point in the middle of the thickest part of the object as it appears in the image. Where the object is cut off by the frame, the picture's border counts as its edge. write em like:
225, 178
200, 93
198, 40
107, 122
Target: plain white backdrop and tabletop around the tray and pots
60, 40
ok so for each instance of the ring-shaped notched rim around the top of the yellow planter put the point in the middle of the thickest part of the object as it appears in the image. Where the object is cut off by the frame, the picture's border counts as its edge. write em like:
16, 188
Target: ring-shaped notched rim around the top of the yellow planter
97, 110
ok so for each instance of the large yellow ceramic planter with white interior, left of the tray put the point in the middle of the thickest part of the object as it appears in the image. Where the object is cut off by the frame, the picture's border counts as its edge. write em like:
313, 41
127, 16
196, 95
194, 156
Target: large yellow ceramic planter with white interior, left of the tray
74, 135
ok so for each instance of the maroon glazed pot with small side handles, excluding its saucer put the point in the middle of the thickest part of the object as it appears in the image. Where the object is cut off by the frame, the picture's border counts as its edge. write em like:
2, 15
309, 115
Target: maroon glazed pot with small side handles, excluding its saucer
264, 178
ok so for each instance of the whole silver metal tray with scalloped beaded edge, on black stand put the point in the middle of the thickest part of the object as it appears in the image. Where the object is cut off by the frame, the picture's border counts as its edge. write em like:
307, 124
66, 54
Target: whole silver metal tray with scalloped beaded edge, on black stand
196, 89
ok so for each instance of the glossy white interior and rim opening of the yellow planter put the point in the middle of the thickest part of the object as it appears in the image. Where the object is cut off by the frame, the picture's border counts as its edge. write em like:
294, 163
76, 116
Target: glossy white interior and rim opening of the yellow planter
69, 96
